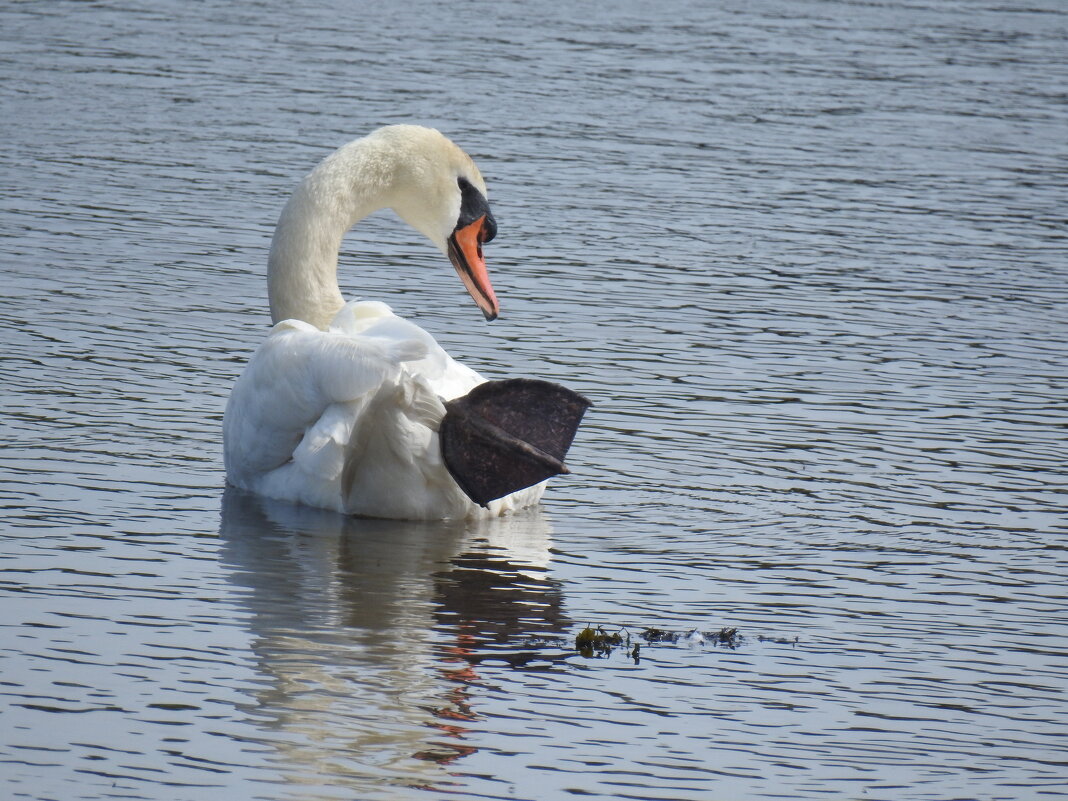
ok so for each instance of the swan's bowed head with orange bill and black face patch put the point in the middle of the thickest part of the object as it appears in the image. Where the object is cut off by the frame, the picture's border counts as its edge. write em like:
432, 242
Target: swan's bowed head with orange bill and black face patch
438, 191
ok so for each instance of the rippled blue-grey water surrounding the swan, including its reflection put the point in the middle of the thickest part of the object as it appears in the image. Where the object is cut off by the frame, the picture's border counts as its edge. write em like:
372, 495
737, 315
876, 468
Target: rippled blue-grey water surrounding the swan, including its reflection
809, 260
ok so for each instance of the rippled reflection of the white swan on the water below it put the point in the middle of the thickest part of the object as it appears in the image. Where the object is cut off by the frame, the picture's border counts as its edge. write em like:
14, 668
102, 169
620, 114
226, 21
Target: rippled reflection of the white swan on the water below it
360, 626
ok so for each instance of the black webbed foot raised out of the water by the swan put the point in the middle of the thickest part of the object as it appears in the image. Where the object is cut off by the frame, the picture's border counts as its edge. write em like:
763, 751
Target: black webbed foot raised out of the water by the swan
506, 436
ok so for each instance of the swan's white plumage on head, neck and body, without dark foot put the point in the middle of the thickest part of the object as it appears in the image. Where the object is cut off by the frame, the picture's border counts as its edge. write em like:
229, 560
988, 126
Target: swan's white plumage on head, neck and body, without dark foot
340, 406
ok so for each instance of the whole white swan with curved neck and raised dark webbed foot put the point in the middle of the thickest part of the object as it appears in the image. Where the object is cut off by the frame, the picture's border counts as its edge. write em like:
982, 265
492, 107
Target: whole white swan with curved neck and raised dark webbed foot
347, 406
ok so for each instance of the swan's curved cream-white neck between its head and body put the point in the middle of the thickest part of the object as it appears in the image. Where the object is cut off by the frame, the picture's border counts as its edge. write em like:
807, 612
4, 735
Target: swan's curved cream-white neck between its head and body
303, 270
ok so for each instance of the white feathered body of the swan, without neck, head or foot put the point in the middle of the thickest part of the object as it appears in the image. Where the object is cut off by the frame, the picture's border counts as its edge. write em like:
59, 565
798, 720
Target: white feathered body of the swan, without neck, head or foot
348, 419
